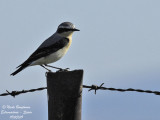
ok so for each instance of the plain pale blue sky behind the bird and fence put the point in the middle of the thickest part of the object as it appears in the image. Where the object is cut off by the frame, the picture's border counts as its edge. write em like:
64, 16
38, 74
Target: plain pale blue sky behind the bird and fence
118, 44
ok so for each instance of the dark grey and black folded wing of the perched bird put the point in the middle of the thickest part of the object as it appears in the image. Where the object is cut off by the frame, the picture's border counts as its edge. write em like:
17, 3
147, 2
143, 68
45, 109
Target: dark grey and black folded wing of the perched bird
51, 45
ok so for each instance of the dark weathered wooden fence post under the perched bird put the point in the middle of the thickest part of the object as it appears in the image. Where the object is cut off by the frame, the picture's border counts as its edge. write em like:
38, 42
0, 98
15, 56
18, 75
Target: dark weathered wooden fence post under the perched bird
64, 95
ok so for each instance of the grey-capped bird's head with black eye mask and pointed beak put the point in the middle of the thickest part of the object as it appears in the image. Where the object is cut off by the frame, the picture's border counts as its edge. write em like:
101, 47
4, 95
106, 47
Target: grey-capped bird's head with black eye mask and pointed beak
66, 29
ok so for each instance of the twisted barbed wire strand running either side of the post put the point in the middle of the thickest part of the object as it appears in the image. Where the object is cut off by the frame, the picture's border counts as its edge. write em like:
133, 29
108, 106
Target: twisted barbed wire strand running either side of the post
92, 87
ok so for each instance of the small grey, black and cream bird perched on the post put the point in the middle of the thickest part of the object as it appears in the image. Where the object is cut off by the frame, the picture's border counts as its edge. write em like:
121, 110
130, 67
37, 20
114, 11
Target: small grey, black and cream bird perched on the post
52, 49
